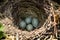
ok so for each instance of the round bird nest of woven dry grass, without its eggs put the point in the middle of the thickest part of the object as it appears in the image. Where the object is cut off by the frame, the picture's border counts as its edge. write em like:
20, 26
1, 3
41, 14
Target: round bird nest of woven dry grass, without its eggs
17, 10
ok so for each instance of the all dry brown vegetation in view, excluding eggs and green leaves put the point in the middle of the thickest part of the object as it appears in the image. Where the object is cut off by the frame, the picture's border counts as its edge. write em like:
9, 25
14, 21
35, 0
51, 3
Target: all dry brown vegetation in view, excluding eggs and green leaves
48, 12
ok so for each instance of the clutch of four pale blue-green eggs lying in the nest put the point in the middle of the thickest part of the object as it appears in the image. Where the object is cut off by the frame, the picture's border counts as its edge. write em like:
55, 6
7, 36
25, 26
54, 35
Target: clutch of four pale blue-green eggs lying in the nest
29, 23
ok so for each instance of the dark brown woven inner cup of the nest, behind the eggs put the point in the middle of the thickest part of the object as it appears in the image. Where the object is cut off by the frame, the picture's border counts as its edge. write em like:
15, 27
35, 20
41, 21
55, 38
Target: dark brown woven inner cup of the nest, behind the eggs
25, 8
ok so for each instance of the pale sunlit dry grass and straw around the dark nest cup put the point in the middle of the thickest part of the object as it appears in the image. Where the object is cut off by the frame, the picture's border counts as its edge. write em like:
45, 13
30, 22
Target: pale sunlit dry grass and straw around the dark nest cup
16, 33
